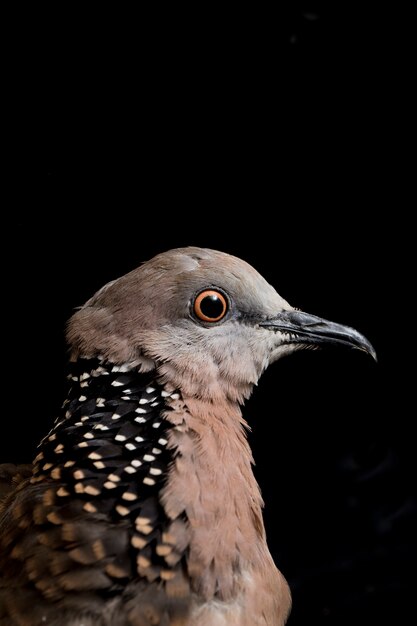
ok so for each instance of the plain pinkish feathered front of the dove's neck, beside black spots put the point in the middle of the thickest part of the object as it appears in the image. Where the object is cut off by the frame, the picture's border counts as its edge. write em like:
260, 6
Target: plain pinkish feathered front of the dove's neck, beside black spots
213, 457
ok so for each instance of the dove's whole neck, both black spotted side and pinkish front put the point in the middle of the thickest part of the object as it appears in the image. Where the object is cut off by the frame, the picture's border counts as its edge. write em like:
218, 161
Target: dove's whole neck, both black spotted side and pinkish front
141, 454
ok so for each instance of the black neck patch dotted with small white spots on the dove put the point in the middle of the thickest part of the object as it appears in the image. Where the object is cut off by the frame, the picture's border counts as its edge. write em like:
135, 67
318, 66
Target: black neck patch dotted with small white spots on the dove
108, 446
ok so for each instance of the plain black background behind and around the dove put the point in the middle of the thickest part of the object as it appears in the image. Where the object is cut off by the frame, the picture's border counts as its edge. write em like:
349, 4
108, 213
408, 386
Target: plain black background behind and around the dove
281, 136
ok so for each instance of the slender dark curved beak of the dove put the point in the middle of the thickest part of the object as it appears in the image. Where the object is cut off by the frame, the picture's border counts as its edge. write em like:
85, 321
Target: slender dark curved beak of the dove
305, 329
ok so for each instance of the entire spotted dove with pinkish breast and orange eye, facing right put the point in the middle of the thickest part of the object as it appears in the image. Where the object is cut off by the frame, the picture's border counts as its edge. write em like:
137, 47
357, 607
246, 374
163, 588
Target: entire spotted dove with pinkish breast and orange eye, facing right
141, 506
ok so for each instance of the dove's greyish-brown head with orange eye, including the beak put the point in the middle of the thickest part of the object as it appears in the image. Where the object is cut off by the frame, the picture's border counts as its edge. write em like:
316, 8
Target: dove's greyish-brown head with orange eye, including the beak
206, 321
